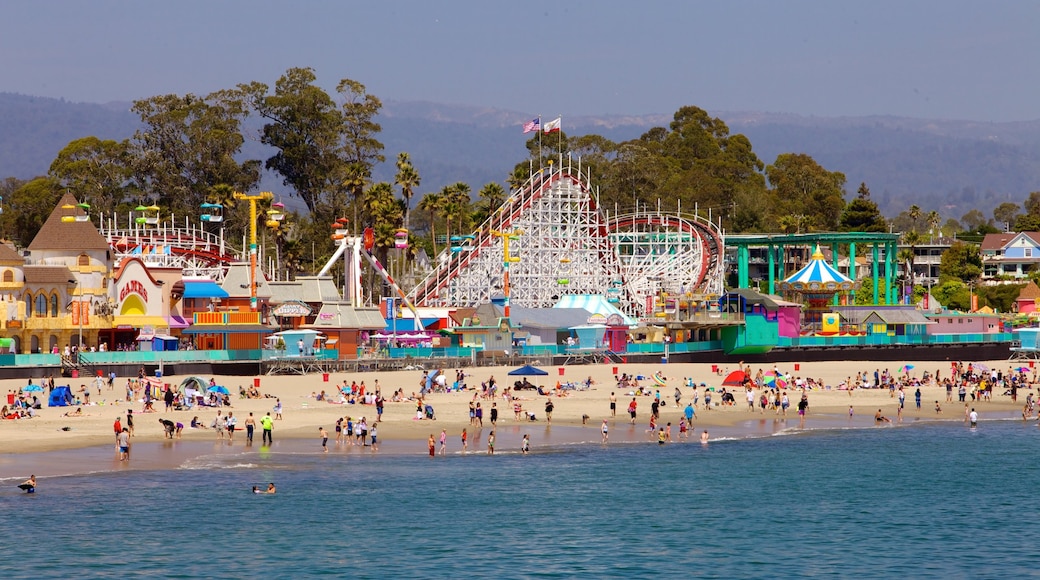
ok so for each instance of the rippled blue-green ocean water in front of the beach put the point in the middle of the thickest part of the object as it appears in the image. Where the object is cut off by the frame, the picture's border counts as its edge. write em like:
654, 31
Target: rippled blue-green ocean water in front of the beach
919, 500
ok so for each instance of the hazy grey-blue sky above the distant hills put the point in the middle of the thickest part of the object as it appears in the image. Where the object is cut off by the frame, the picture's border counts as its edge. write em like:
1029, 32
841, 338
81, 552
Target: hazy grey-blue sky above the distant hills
952, 60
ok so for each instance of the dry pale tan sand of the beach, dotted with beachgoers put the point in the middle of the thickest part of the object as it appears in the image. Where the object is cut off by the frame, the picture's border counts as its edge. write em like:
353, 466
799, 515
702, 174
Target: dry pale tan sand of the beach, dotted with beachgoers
303, 415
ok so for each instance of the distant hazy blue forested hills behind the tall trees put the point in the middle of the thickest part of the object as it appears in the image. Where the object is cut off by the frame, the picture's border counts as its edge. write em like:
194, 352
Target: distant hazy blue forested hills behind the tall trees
947, 166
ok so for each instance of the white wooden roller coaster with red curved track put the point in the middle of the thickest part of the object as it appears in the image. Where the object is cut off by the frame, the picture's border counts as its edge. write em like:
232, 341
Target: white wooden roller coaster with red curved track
561, 243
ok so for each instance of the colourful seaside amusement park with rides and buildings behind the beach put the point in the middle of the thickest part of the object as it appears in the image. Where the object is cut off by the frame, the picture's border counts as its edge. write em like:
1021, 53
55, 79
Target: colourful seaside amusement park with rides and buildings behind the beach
550, 276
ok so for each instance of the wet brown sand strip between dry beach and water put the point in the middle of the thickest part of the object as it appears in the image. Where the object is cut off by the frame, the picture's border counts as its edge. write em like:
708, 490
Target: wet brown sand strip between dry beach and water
198, 455
